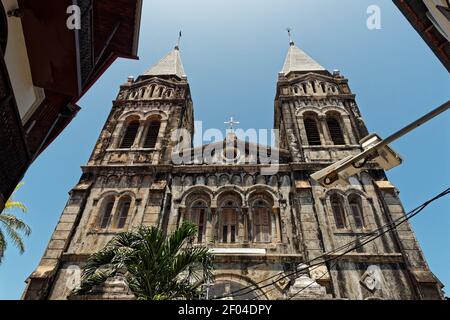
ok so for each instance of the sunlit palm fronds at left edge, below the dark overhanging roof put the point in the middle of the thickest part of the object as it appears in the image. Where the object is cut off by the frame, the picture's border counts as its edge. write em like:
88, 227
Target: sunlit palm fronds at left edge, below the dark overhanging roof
12, 225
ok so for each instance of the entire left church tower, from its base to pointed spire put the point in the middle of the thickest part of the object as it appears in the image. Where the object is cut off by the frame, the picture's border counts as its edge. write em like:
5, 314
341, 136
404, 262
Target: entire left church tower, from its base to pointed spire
124, 184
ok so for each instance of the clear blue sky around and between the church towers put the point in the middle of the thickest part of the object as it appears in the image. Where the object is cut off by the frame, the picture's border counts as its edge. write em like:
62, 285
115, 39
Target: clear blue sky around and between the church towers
232, 52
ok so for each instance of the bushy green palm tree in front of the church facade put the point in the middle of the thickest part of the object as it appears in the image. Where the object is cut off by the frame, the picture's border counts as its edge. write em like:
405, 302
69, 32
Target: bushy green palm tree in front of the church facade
155, 266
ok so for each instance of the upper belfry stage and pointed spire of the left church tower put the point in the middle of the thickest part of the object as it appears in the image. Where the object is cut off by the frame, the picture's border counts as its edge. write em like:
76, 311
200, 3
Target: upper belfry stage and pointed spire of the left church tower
144, 115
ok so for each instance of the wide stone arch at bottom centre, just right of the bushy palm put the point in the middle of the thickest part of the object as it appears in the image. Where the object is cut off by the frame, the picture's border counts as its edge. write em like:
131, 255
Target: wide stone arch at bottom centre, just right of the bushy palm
231, 282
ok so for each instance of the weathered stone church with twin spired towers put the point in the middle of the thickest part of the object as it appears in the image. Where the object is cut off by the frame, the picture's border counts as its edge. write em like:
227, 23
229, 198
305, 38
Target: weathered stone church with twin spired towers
260, 227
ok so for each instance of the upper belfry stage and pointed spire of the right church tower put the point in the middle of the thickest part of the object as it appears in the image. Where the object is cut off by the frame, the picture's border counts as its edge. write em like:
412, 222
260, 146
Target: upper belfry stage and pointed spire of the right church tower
315, 110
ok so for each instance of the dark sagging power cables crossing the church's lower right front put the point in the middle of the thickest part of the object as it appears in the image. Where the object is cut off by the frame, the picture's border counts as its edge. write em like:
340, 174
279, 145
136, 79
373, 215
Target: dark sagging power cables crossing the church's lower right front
391, 226
